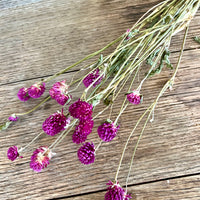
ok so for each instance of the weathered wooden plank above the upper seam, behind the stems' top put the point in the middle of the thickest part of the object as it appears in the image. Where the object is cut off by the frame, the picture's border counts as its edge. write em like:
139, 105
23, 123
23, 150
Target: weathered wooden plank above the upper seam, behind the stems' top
38, 35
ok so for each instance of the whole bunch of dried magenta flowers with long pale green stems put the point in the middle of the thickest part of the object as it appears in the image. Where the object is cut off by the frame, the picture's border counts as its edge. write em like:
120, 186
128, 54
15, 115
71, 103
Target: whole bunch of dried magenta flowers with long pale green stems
147, 41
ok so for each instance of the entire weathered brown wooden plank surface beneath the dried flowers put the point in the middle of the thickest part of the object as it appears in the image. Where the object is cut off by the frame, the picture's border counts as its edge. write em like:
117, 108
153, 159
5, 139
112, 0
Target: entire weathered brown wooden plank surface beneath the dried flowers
40, 37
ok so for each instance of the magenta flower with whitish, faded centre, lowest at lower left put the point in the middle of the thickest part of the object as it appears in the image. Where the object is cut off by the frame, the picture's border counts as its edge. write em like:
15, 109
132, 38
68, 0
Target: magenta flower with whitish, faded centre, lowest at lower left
40, 158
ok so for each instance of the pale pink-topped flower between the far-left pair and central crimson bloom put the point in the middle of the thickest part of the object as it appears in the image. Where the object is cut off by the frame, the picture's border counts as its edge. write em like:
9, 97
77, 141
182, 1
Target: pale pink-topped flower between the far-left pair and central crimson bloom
59, 92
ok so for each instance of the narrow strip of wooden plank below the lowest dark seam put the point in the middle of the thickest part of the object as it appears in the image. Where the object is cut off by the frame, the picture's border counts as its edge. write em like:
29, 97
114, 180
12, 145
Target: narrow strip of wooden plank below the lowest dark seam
181, 188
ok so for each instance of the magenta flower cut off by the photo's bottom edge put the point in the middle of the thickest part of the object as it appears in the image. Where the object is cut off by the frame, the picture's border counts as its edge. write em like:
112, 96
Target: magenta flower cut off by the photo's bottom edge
116, 192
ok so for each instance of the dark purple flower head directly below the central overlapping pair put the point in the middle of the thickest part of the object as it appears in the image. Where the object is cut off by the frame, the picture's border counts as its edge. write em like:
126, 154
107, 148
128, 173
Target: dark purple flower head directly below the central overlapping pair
86, 153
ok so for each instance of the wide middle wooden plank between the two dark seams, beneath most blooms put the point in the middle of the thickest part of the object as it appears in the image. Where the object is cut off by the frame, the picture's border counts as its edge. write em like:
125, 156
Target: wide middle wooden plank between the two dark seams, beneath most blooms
169, 147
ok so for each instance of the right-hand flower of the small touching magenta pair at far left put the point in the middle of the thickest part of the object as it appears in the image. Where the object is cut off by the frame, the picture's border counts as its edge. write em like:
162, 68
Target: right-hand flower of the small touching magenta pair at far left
36, 90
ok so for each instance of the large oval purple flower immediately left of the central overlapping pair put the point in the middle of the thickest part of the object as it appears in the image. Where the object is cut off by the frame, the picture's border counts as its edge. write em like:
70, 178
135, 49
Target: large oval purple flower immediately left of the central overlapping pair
55, 123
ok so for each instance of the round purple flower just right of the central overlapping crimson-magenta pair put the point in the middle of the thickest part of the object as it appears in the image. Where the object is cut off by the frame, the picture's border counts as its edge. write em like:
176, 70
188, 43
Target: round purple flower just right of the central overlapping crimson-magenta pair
107, 131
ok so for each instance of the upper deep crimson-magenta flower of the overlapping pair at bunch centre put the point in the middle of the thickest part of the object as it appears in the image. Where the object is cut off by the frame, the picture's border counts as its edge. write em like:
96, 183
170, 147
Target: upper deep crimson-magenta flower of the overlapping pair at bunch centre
81, 110
